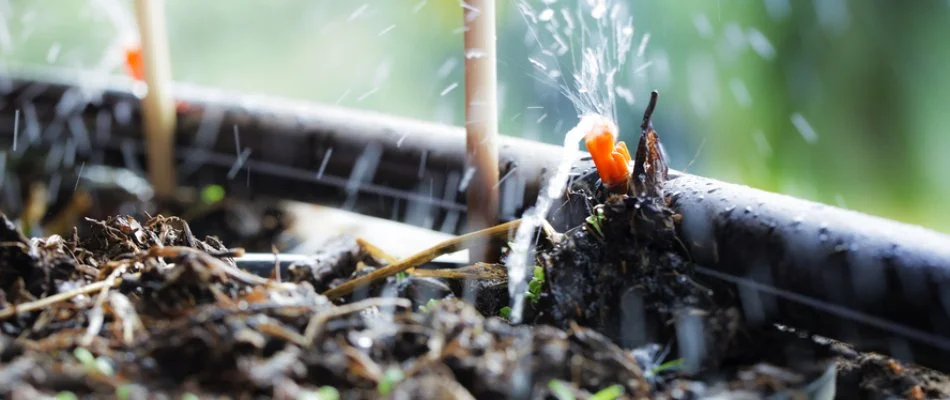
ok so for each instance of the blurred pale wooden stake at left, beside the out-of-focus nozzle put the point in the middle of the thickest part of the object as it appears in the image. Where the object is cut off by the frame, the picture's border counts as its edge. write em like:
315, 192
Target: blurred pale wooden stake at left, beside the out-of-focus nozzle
158, 107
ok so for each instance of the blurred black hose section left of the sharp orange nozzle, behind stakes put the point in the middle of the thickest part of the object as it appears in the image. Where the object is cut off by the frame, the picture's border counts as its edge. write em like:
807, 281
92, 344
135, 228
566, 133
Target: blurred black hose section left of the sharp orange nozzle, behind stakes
366, 162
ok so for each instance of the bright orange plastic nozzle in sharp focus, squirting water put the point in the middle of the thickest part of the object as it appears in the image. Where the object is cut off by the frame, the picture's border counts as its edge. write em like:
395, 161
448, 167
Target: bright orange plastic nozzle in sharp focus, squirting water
612, 160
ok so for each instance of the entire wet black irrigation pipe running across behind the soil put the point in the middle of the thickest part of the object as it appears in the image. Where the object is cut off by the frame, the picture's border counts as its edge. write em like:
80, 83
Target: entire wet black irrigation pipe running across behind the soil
878, 284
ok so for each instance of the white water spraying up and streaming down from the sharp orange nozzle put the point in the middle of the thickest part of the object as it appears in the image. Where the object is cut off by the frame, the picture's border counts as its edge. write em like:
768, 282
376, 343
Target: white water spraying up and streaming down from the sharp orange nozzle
604, 39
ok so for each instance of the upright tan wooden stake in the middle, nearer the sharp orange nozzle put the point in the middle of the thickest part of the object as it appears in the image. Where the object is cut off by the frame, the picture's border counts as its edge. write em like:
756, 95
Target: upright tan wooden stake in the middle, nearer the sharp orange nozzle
481, 121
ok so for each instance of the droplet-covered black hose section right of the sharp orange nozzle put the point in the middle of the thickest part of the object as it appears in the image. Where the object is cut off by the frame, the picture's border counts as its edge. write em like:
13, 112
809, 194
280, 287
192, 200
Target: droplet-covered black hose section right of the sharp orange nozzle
877, 283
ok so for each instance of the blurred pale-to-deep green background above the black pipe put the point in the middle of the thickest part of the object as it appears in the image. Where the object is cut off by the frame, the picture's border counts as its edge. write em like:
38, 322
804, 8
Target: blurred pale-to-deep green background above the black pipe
843, 102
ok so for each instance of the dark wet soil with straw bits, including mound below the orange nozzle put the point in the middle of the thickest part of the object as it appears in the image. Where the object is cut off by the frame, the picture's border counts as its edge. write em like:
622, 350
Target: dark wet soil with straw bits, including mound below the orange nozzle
615, 312
